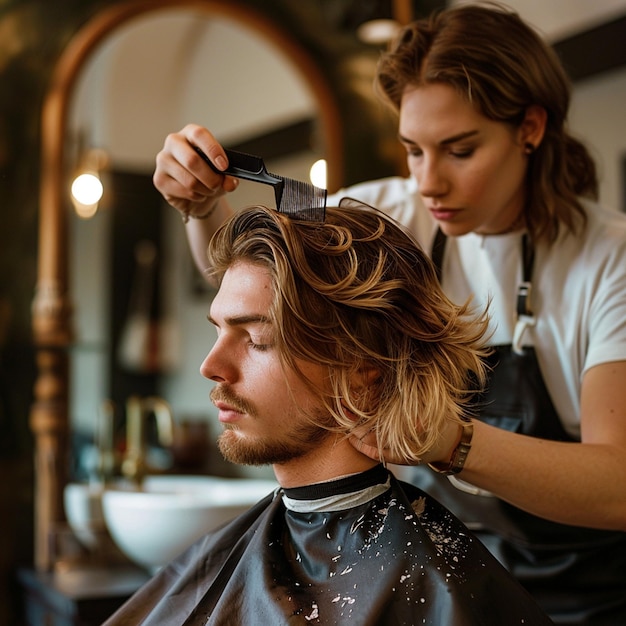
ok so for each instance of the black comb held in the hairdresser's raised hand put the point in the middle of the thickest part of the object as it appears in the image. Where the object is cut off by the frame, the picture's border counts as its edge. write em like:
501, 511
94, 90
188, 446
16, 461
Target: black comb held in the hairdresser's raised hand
294, 198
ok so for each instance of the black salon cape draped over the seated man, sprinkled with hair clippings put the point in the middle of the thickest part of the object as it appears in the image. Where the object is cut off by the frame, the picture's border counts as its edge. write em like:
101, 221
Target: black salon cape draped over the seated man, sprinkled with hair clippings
399, 559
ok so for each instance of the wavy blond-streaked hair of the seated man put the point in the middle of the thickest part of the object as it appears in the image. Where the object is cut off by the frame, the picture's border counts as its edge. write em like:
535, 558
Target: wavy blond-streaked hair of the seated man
357, 294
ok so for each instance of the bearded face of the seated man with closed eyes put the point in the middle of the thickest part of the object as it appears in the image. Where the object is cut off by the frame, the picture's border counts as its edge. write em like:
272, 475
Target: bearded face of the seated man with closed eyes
261, 405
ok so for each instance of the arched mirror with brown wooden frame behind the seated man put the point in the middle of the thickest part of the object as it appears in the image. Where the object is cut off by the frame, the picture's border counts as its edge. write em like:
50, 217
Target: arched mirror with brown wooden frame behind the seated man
134, 73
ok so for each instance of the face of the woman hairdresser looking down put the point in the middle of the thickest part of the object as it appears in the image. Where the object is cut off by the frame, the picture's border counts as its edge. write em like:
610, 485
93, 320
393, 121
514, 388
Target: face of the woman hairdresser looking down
470, 170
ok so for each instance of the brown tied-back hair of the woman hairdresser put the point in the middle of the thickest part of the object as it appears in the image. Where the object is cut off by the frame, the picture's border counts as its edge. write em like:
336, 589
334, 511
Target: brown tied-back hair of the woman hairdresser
502, 67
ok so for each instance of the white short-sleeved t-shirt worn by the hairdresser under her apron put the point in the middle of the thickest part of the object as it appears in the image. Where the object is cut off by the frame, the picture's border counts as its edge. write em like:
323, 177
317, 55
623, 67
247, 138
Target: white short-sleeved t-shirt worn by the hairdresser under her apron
578, 286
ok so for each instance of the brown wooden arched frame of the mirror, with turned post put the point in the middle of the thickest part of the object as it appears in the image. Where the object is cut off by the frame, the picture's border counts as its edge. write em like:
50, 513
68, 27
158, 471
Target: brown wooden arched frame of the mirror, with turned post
52, 309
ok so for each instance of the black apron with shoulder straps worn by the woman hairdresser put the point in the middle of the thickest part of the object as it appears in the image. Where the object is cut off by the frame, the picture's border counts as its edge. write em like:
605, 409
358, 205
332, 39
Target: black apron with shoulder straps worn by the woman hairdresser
578, 575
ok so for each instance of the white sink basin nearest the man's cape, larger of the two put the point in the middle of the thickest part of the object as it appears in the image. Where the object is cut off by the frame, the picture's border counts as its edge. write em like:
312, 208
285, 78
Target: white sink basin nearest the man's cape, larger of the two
156, 524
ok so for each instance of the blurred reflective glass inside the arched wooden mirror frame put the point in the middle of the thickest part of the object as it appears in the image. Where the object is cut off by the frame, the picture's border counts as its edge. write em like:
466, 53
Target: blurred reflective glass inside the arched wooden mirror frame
140, 311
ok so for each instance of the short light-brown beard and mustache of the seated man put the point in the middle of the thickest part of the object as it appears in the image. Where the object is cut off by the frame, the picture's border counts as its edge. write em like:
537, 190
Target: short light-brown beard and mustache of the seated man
294, 442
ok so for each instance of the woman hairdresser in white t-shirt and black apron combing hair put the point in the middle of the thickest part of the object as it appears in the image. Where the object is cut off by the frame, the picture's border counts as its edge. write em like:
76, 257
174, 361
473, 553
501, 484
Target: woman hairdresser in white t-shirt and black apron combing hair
504, 197
